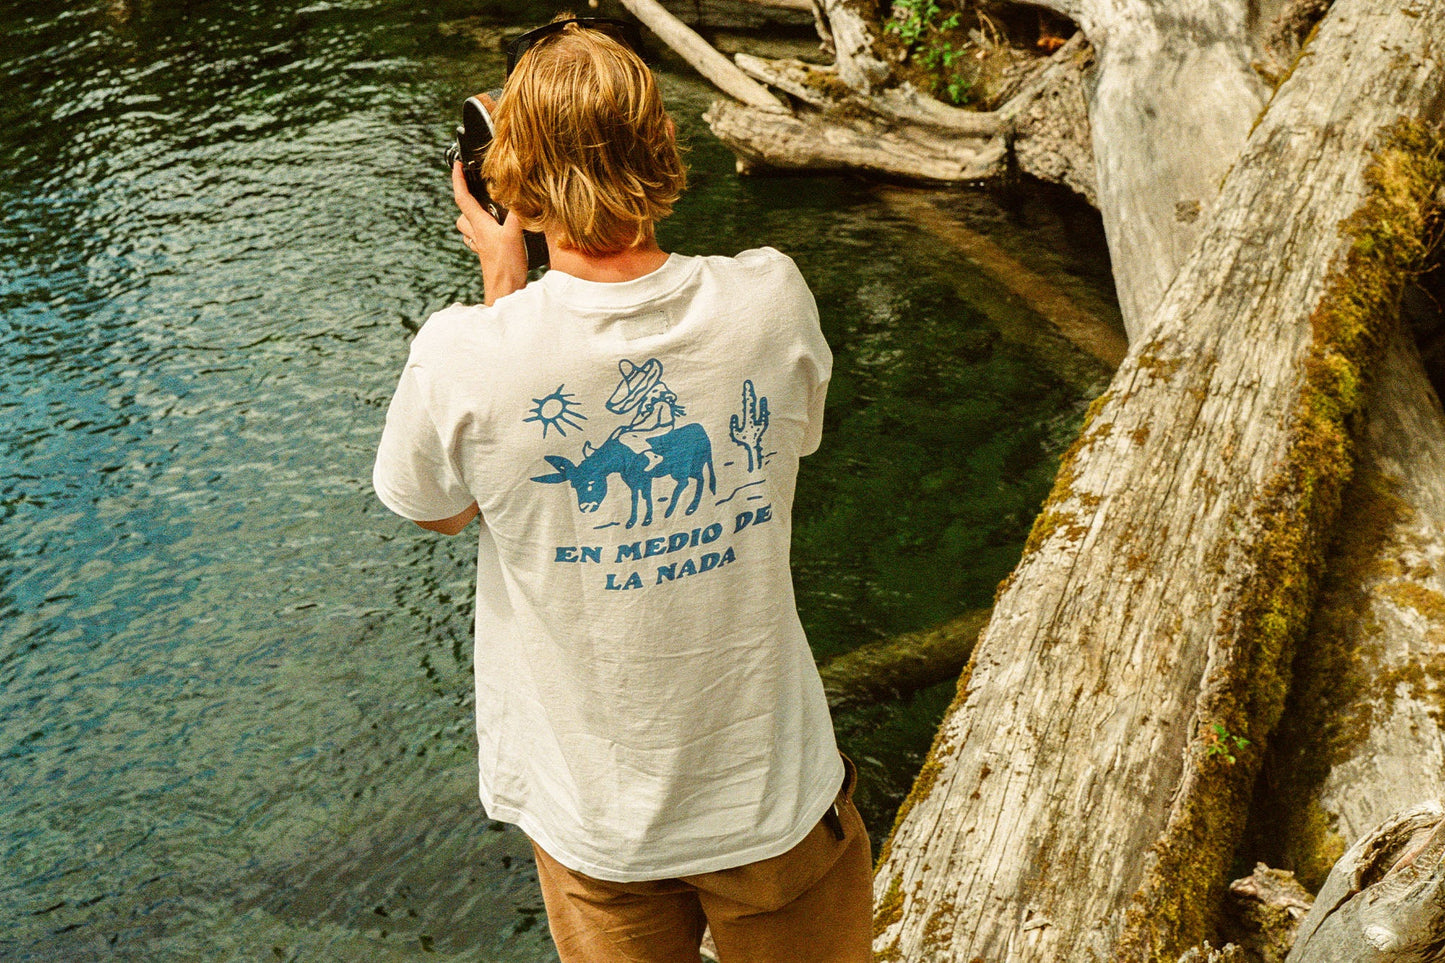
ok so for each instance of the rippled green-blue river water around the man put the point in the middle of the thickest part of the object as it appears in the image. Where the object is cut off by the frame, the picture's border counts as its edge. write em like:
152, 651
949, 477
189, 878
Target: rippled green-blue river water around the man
235, 692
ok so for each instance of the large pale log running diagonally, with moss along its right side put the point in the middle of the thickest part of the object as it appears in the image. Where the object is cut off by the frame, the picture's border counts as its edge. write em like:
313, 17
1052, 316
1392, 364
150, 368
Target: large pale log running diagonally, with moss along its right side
1089, 786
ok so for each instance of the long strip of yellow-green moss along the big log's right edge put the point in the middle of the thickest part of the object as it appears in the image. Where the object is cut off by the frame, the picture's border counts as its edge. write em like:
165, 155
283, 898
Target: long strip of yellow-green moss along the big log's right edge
1391, 236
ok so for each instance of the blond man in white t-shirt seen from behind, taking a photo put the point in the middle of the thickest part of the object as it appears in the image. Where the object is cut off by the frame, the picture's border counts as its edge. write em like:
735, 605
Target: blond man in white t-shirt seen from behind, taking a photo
648, 709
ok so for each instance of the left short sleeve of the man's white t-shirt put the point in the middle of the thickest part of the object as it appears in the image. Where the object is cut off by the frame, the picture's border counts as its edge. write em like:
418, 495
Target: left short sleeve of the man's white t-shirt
415, 475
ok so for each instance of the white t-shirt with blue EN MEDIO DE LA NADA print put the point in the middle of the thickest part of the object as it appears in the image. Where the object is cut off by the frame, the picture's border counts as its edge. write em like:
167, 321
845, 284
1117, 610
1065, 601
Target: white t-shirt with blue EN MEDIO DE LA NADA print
647, 702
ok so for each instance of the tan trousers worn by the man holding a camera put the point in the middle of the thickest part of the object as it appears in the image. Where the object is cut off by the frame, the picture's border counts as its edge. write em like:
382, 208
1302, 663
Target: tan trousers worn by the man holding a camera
814, 904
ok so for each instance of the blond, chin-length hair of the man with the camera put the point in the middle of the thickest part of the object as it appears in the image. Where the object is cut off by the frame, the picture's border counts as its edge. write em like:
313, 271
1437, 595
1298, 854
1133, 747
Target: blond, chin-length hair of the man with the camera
583, 145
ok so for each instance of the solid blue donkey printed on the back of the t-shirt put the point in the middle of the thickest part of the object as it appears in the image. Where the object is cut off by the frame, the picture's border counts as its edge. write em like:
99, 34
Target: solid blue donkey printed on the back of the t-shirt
684, 455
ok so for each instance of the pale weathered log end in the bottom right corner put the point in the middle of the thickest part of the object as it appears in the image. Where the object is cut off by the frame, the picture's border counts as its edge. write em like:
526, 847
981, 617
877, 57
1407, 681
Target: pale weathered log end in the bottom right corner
1385, 902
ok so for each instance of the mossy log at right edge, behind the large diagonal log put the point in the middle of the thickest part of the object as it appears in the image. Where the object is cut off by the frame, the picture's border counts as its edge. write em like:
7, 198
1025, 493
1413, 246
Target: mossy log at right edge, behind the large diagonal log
1365, 729
